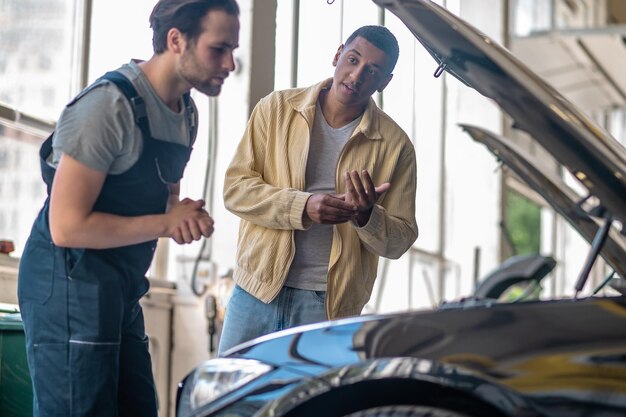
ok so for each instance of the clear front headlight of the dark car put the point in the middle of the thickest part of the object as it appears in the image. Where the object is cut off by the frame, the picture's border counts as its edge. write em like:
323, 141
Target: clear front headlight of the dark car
217, 377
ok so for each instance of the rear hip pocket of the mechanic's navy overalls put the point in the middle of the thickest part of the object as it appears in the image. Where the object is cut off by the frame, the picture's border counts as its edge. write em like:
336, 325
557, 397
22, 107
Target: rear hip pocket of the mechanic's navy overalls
36, 272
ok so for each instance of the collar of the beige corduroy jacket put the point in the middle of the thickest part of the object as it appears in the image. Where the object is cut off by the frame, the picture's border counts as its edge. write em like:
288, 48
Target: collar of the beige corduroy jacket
304, 103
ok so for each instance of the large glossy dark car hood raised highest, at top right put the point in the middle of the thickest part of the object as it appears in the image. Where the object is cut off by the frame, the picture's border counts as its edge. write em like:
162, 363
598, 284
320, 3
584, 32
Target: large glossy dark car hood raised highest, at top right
596, 159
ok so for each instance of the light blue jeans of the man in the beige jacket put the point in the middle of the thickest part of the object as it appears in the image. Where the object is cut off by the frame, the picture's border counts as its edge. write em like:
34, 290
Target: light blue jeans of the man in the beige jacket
248, 318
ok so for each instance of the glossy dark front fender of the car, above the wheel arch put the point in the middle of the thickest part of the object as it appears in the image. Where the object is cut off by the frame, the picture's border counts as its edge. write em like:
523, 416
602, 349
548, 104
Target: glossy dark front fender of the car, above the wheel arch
565, 357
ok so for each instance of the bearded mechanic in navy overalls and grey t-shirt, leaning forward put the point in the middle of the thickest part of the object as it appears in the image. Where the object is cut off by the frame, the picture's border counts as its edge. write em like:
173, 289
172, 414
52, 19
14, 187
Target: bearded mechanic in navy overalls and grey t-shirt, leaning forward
112, 168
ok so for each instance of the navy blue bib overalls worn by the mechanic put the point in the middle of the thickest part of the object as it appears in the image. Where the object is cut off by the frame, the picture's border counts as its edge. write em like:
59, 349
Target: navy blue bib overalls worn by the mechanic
86, 344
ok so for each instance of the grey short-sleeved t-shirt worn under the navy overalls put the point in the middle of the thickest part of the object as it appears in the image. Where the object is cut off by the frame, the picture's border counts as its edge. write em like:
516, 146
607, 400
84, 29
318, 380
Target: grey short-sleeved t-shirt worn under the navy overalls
100, 131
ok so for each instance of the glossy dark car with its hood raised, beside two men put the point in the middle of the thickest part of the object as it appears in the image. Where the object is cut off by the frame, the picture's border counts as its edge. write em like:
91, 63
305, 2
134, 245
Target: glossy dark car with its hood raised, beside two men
476, 357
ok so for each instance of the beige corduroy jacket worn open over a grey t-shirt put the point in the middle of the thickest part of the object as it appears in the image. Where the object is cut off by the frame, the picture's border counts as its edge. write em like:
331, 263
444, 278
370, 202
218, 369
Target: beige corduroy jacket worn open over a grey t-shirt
264, 183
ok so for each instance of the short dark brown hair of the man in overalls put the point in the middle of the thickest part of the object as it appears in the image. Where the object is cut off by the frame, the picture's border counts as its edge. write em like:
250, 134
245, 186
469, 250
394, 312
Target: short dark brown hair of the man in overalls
186, 16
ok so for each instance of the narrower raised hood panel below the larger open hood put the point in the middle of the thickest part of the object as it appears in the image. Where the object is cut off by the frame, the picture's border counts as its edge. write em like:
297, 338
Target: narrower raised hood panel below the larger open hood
554, 190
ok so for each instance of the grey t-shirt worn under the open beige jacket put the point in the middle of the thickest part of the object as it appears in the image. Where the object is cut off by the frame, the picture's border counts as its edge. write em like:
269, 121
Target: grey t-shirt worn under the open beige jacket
309, 269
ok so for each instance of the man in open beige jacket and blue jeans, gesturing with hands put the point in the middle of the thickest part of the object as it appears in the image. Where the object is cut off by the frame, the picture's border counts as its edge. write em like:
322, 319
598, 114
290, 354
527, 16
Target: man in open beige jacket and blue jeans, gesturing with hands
313, 223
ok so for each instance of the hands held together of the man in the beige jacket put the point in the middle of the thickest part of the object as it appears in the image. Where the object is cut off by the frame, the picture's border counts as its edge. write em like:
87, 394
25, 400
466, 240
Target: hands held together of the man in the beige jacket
355, 204
